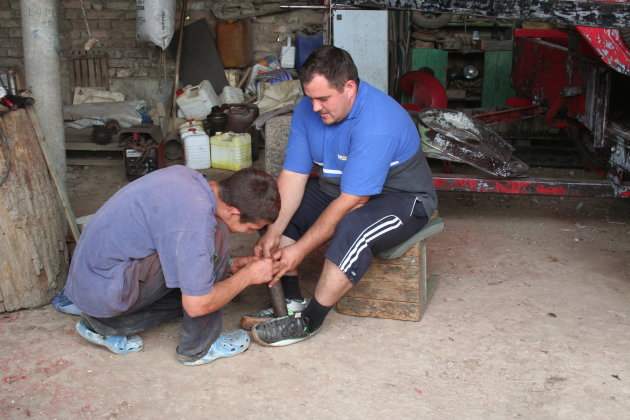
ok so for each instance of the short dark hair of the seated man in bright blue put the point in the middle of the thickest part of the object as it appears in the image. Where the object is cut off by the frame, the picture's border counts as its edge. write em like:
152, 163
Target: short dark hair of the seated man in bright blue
335, 64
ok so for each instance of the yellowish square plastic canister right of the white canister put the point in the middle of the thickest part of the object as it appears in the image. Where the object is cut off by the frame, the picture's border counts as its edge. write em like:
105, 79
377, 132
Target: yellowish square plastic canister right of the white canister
232, 151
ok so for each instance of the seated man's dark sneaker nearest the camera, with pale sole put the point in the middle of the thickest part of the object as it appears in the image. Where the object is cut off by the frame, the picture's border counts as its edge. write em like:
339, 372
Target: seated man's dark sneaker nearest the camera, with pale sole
282, 331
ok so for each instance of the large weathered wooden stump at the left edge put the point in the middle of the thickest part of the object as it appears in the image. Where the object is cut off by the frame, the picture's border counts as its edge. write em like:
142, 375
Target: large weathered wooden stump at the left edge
33, 251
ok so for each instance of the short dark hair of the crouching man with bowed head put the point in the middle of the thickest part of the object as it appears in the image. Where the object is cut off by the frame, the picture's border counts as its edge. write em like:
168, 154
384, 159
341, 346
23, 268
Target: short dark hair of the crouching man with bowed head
254, 193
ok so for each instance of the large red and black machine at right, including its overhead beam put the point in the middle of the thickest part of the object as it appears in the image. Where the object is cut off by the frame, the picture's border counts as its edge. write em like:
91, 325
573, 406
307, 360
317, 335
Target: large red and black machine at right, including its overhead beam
572, 77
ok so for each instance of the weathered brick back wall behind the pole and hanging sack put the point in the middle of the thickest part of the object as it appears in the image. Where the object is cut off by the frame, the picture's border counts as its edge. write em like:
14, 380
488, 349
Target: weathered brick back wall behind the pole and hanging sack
134, 67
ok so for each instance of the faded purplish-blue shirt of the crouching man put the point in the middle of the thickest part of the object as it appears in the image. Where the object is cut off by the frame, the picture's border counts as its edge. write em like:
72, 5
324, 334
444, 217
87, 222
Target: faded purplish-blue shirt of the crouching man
171, 212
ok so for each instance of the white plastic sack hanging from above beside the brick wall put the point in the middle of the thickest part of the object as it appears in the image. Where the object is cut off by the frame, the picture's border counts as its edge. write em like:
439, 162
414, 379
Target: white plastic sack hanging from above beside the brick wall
155, 21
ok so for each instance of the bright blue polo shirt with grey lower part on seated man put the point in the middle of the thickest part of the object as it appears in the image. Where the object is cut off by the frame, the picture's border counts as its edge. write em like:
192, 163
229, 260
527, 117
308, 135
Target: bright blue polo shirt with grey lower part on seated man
375, 149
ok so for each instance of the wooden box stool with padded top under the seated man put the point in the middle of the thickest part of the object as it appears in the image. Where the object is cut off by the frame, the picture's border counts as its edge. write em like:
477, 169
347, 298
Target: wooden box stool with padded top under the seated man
396, 286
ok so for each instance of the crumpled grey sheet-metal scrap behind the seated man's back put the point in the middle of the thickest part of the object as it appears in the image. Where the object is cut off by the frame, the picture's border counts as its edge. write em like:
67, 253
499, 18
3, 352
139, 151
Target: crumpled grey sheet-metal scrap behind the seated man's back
456, 137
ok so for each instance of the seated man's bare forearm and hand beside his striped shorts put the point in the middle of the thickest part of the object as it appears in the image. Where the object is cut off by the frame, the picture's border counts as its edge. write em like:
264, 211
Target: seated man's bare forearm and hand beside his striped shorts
291, 256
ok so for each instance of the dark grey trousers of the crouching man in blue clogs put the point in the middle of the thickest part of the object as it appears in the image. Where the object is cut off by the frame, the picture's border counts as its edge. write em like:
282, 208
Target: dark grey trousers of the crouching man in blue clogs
158, 304
